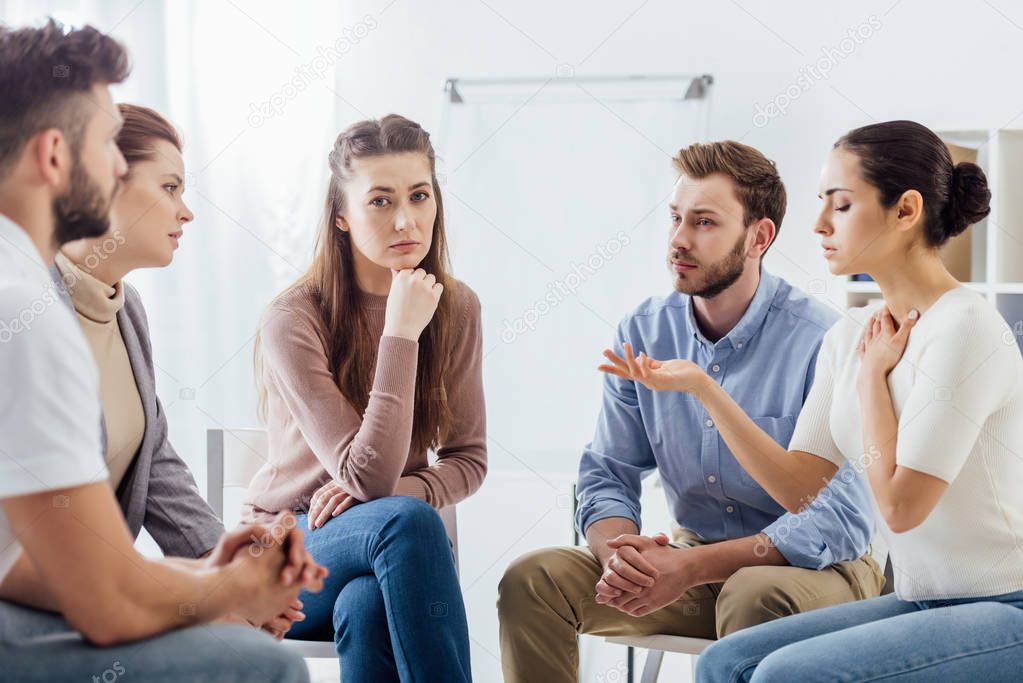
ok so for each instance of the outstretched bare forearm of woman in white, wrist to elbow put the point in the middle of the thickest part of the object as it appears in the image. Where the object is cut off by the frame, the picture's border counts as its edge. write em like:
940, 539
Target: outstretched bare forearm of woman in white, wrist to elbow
793, 479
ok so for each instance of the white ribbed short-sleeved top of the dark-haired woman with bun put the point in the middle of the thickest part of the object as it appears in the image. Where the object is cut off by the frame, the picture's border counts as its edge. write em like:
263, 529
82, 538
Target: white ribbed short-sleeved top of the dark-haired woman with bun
958, 394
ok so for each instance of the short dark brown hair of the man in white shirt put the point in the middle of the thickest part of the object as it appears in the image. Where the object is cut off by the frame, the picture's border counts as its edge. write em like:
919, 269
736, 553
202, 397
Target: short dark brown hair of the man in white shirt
46, 78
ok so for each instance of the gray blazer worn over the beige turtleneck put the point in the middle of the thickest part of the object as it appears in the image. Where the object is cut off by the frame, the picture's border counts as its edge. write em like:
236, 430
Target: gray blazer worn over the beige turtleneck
158, 491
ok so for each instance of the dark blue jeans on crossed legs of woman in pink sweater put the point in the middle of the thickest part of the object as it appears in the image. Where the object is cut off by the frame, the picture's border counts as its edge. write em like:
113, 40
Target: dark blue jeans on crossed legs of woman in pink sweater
392, 603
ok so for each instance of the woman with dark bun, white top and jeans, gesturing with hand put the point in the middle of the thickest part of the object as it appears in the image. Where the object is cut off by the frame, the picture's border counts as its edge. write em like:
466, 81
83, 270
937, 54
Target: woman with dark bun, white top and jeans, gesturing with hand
924, 395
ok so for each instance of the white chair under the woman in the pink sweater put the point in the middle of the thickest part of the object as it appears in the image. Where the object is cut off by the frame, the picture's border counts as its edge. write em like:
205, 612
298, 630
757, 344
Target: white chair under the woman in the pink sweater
233, 458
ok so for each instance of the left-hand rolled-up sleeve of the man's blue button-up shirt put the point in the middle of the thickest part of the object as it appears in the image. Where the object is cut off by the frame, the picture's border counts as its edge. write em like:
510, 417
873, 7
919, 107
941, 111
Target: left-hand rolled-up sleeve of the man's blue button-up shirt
615, 462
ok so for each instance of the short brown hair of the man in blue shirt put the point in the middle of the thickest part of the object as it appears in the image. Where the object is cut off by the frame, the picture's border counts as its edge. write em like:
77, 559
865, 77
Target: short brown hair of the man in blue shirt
759, 187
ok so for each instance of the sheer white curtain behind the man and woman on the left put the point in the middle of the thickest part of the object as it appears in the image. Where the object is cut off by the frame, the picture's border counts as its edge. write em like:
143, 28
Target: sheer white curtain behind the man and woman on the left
252, 88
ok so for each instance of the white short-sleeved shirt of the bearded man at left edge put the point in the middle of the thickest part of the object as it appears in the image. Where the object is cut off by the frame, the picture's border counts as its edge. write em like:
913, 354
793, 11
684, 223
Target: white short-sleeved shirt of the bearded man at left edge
50, 387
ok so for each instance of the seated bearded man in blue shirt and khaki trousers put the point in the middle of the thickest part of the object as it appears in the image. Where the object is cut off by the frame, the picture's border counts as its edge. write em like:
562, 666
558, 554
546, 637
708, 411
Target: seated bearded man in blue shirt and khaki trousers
739, 559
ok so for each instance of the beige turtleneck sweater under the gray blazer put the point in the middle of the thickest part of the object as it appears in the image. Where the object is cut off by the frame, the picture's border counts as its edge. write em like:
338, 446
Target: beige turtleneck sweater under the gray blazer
97, 305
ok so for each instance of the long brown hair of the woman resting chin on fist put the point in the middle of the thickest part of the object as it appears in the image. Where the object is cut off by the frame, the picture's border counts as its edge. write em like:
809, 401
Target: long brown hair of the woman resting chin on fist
331, 280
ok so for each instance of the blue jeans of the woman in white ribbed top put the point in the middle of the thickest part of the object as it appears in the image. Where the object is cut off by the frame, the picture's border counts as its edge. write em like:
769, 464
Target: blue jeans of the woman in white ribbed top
980, 641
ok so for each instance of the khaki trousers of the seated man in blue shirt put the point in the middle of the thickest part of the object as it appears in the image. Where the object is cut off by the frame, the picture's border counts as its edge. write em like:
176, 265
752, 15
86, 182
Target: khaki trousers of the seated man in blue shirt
547, 598
